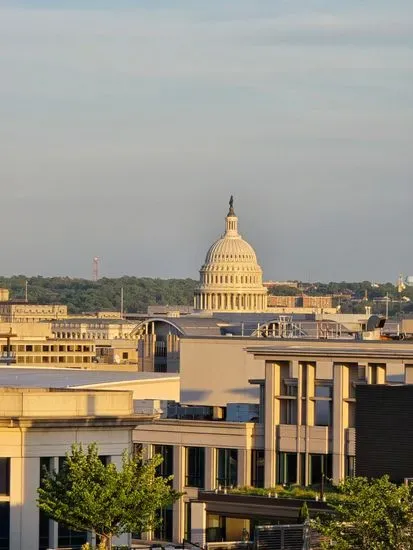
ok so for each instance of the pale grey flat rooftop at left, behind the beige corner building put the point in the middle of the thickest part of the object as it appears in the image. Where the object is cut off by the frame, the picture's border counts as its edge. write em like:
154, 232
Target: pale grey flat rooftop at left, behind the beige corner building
33, 377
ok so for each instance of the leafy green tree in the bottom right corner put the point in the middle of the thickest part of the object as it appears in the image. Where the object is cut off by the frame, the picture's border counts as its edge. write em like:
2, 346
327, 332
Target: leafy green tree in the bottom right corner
374, 514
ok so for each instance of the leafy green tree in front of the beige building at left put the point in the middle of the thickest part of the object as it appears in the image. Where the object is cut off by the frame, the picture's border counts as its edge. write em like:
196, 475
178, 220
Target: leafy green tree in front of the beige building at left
87, 494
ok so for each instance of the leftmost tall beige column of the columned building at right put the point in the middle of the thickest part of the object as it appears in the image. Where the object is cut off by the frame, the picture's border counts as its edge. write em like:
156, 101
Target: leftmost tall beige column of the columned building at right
272, 414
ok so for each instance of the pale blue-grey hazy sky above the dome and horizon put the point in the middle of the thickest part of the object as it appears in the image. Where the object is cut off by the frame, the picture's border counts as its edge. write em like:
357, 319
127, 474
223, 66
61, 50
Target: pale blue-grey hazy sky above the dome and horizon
125, 126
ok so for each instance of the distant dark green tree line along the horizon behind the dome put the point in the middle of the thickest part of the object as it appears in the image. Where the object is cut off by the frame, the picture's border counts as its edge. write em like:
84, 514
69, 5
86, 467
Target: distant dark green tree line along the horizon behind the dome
139, 292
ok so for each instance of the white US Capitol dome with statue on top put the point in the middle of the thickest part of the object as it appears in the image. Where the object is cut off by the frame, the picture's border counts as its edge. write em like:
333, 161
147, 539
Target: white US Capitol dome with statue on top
231, 278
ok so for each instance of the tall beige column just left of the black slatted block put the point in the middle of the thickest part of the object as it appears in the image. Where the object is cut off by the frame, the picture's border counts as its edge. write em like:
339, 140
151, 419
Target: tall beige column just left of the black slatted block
340, 385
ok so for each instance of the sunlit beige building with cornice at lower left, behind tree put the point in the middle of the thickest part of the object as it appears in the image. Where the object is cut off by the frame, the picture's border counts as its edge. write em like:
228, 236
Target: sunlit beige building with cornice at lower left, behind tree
37, 428
